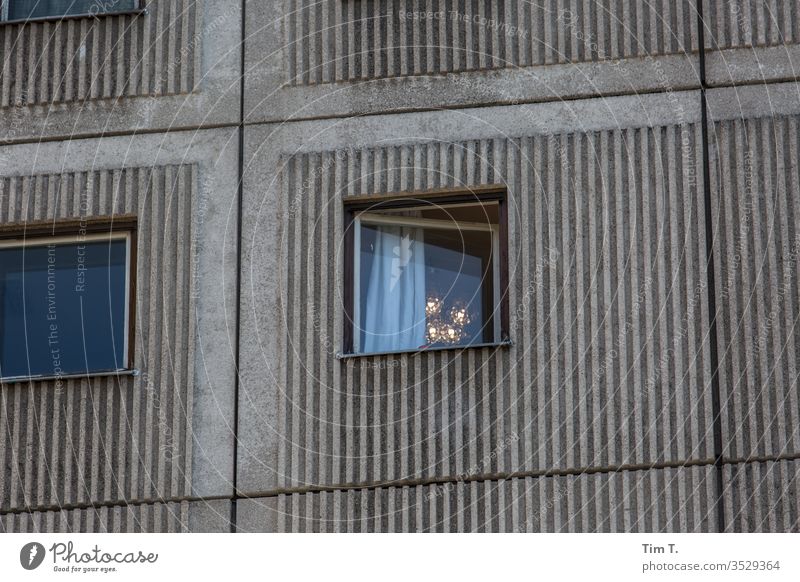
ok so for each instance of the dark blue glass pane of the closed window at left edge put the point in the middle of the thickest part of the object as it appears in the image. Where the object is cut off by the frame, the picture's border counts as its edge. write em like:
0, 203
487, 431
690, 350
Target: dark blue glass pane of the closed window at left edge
62, 309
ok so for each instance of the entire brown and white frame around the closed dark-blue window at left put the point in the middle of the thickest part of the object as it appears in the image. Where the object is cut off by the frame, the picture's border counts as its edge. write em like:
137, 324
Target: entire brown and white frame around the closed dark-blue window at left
70, 231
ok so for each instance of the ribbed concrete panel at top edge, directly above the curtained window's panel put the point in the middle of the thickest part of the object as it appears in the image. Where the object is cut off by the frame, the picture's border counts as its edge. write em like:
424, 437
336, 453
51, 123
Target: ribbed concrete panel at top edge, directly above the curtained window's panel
365, 39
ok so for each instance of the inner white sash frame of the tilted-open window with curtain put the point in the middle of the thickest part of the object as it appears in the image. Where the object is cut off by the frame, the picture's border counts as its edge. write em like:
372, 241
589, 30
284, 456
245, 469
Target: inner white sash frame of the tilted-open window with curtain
366, 217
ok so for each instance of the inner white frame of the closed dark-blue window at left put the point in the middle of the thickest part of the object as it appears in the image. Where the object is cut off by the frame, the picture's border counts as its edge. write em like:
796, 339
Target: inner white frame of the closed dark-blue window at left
40, 241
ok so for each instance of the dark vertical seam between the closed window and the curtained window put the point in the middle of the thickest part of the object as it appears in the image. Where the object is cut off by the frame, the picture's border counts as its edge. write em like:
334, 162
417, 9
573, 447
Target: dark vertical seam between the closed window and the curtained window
239, 210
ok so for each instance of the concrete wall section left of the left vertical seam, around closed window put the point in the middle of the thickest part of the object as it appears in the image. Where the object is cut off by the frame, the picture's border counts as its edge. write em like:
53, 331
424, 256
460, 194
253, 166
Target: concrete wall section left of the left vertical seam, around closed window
77, 99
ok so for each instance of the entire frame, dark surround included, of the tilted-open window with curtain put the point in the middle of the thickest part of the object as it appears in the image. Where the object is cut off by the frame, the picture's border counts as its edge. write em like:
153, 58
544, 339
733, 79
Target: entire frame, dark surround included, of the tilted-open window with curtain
356, 207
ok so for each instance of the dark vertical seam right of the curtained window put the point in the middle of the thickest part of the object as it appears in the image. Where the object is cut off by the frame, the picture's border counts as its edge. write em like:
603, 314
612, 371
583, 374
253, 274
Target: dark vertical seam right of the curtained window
716, 406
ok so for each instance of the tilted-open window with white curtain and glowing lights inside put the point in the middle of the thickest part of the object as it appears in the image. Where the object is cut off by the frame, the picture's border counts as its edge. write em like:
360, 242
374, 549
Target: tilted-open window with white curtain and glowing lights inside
425, 273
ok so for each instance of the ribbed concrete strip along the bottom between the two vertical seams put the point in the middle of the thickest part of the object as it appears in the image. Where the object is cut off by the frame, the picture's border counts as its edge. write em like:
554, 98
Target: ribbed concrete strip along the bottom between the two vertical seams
657, 500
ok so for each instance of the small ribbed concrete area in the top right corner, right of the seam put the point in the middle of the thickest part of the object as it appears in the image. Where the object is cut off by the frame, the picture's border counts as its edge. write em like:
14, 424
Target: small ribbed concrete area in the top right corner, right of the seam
750, 23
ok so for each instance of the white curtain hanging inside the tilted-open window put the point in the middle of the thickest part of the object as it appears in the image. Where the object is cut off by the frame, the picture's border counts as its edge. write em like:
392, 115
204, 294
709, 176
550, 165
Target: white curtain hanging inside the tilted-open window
394, 306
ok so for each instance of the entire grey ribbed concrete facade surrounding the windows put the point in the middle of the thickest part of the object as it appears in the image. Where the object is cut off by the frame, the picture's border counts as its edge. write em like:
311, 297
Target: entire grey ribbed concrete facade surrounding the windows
650, 160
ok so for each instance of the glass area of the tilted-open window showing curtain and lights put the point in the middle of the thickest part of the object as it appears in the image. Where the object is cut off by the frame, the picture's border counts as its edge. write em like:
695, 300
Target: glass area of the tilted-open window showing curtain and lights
421, 285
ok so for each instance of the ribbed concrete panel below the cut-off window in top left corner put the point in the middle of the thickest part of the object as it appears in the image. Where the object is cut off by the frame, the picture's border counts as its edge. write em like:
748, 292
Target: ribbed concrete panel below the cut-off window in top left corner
156, 53
